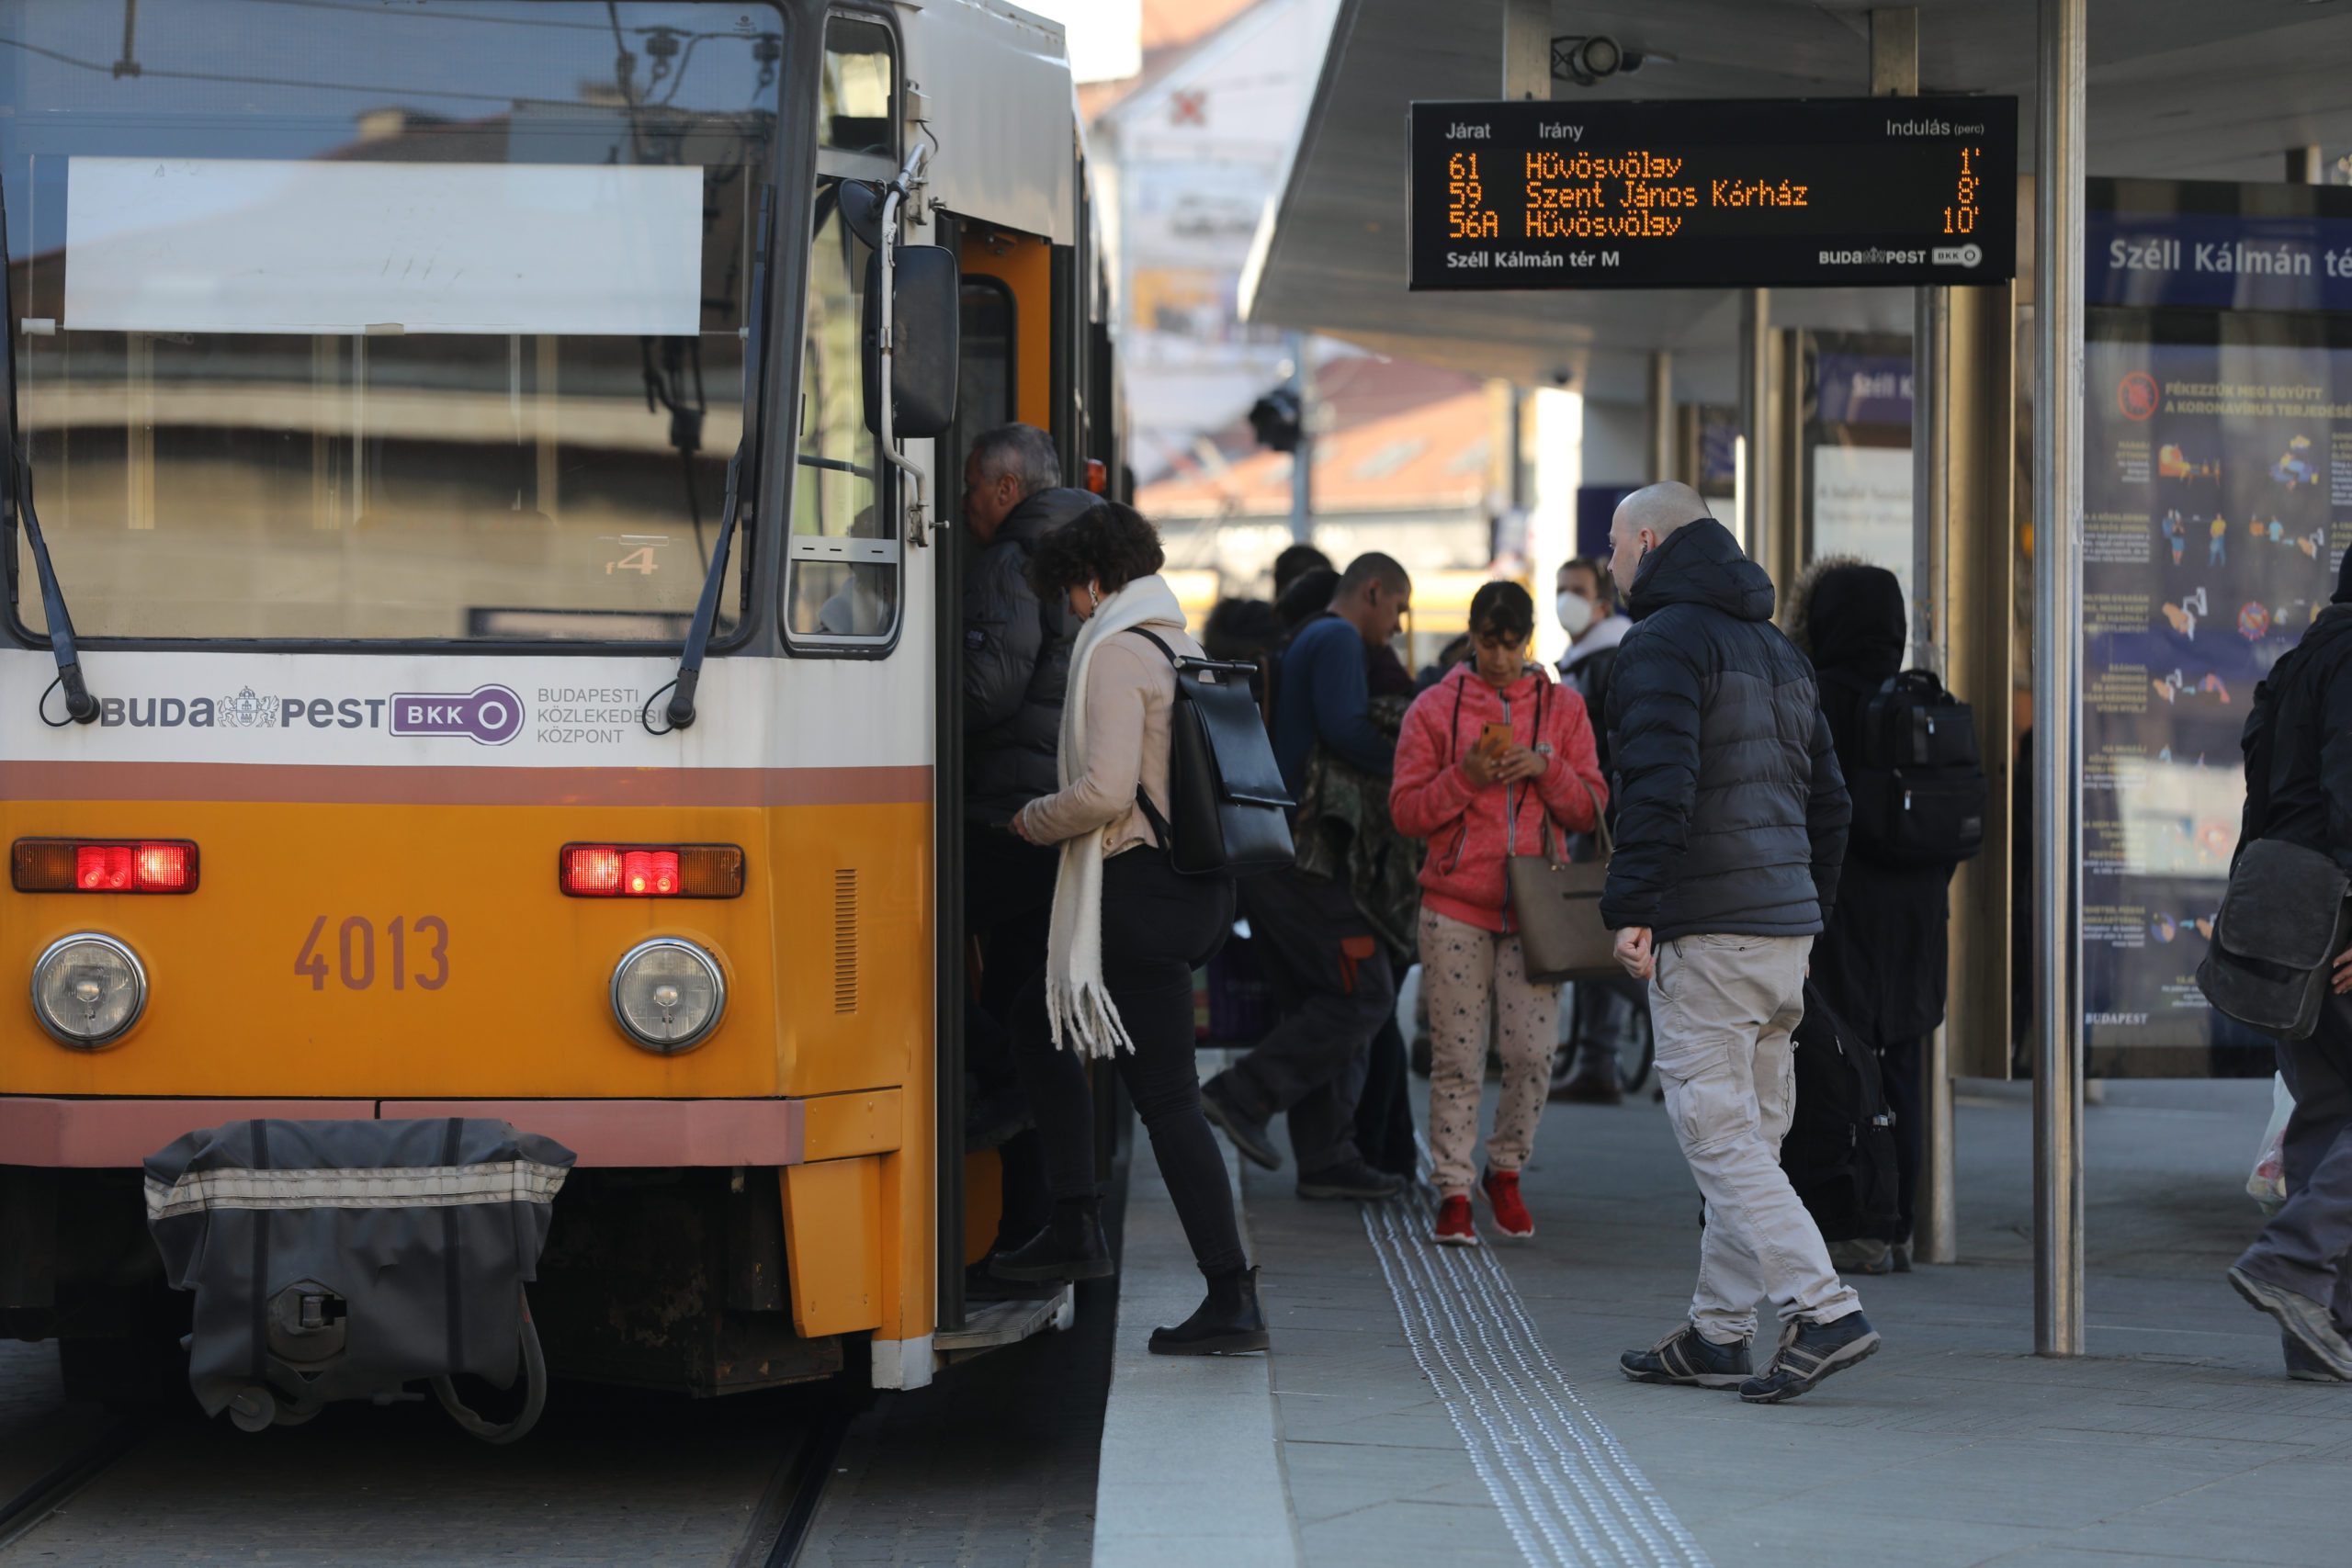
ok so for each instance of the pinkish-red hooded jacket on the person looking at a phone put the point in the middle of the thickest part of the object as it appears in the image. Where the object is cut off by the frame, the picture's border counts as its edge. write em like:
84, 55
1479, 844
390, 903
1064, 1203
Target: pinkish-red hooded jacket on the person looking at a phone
1469, 826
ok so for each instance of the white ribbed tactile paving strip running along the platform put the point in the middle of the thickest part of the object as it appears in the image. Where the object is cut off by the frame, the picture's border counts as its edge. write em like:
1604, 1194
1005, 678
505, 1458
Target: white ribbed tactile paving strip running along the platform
1565, 1487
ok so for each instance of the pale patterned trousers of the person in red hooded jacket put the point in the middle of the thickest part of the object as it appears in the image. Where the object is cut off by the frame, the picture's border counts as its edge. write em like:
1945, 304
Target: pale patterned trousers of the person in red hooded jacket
1464, 972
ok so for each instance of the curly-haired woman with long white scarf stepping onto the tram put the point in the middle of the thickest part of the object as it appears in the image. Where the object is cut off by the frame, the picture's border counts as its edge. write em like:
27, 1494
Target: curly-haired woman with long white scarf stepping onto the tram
1128, 934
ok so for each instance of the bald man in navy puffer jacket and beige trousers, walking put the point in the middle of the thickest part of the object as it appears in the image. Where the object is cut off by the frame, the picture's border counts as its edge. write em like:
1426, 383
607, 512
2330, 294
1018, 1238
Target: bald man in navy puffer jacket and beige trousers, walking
1732, 824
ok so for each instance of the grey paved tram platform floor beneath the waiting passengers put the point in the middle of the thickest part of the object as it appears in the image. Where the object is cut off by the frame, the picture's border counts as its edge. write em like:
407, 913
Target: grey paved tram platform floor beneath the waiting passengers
1469, 1409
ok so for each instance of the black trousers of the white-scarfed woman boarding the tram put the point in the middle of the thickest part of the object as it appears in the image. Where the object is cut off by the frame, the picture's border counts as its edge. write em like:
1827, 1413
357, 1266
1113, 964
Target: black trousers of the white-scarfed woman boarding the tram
1158, 930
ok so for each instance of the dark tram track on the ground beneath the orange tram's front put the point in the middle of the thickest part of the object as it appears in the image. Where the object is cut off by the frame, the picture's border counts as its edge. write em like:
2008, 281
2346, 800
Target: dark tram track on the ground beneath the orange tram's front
693, 1482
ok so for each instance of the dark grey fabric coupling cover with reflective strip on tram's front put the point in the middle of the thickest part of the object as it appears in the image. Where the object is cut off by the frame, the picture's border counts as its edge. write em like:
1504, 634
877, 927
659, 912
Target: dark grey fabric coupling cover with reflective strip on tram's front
349, 1259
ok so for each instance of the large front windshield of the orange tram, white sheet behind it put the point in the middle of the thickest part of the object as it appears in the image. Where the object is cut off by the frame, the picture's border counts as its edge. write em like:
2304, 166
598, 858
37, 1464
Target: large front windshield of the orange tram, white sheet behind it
363, 321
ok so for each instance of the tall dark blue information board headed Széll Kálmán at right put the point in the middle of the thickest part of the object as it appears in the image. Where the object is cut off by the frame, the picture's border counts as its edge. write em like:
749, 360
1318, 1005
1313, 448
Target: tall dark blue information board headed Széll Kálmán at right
2217, 509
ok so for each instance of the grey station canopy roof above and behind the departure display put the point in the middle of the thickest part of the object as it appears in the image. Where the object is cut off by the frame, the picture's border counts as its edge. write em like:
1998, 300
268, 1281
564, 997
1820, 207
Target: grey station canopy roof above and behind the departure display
2177, 91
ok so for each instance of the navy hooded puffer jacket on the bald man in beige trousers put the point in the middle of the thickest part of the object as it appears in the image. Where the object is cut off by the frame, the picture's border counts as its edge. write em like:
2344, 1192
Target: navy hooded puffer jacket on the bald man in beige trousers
1732, 815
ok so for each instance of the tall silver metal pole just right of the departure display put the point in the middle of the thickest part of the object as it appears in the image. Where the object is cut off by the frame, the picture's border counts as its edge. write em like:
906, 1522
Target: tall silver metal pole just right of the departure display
2059, 227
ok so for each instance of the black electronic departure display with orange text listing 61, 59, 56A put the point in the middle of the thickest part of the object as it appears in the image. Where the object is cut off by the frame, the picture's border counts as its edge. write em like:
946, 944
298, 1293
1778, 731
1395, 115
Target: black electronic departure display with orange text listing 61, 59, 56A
1737, 194
